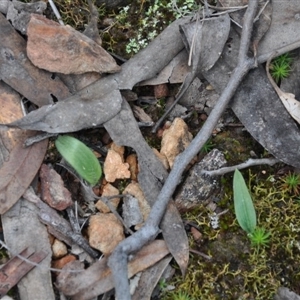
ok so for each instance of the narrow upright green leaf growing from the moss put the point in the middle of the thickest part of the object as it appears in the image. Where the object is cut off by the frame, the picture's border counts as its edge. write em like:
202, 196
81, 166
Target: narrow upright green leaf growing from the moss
243, 204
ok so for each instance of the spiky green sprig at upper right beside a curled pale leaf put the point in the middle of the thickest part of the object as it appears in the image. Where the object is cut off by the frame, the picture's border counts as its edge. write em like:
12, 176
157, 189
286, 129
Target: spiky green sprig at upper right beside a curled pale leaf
280, 67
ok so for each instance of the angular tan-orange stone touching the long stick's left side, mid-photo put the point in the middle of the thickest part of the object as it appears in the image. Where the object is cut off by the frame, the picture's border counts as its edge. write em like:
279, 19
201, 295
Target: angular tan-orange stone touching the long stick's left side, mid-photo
175, 140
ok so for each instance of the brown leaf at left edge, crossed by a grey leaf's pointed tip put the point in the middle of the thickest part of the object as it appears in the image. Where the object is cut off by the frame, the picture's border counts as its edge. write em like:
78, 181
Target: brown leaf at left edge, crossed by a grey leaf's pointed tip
18, 165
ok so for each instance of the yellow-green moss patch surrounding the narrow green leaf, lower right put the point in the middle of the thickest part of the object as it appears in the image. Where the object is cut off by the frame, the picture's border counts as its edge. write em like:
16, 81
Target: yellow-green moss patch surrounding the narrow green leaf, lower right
237, 269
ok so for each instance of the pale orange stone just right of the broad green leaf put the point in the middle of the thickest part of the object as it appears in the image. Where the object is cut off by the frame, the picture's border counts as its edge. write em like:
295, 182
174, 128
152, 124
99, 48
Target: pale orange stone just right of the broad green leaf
114, 167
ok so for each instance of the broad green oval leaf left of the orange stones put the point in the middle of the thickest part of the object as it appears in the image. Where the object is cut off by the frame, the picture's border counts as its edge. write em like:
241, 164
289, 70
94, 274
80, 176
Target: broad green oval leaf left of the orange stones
80, 158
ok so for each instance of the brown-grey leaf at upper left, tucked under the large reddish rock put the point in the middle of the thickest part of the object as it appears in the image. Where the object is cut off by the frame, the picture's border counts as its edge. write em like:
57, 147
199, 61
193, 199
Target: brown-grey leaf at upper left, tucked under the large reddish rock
17, 71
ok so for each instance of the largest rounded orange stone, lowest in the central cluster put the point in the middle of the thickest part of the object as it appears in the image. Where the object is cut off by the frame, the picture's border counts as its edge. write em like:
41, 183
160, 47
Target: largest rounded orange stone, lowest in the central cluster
105, 232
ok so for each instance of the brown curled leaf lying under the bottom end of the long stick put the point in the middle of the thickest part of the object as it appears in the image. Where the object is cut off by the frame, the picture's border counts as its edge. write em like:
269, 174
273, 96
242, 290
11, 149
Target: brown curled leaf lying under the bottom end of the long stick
97, 279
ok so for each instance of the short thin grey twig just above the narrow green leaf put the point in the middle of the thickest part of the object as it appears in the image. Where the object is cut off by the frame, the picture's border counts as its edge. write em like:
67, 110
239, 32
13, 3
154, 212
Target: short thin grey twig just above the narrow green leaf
249, 163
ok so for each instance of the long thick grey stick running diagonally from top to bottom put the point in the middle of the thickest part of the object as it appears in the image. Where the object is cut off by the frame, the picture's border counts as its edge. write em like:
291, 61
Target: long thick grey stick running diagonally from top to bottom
118, 260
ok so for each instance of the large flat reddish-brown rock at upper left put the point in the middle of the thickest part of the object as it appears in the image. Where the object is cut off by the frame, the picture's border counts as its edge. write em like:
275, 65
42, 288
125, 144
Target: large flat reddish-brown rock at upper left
62, 49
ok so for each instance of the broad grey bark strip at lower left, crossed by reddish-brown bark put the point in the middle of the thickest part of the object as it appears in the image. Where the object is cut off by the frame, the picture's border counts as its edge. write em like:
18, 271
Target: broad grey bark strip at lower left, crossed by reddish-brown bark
18, 225
